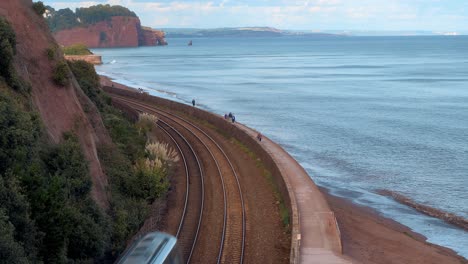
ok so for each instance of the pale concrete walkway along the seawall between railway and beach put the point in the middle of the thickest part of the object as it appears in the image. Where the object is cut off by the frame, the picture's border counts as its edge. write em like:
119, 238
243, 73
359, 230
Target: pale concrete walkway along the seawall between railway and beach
314, 227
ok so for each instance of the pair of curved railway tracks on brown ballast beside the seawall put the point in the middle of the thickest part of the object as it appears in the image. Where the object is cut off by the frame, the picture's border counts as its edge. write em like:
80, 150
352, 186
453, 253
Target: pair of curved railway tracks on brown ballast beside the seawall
231, 231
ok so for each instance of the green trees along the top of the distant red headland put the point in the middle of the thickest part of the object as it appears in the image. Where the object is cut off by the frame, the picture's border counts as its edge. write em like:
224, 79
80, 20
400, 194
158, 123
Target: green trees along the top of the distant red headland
66, 18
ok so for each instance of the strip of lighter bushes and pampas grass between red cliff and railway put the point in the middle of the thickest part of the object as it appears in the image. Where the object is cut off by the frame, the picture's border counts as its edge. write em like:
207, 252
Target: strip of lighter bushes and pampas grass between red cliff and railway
136, 174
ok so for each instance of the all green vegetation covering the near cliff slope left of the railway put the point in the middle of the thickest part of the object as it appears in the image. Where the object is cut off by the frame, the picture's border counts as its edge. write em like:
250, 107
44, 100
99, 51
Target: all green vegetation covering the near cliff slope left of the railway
47, 214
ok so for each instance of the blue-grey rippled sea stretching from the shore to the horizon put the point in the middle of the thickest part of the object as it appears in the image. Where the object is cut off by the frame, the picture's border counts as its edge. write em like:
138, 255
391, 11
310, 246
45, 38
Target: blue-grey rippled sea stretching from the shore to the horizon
359, 114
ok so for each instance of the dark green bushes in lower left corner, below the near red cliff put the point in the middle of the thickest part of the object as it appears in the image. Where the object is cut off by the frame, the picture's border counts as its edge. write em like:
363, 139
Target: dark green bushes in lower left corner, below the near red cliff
46, 212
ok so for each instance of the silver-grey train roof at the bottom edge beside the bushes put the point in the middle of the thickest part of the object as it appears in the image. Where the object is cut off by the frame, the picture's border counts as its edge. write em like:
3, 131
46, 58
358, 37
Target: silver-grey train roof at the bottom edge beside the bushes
153, 248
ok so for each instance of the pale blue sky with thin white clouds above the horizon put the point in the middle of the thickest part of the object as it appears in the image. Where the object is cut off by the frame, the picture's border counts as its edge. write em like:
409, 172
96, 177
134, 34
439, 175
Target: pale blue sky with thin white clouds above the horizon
315, 15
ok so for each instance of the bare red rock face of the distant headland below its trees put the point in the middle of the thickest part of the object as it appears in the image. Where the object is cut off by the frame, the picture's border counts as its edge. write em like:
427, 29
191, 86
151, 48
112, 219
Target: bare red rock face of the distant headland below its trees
118, 32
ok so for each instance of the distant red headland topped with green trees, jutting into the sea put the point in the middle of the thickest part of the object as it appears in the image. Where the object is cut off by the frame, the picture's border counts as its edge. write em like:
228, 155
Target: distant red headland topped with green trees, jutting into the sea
101, 26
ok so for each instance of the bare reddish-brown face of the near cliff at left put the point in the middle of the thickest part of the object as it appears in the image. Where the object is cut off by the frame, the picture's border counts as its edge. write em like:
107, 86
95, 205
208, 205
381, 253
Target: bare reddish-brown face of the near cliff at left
60, 108
